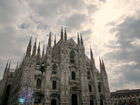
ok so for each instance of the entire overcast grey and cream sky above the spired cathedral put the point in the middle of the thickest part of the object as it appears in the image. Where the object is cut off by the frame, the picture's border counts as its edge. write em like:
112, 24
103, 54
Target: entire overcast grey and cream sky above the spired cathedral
110, 27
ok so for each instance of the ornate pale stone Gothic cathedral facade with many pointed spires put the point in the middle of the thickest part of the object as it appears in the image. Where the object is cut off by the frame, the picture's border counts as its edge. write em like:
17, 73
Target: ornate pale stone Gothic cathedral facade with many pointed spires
59, 75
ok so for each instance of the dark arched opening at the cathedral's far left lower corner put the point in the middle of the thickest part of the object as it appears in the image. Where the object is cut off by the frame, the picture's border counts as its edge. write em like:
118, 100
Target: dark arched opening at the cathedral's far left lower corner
6, 95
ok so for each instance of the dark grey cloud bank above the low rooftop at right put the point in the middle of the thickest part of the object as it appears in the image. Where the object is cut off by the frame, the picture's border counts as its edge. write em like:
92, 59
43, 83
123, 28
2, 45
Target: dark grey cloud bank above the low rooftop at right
128, 32
